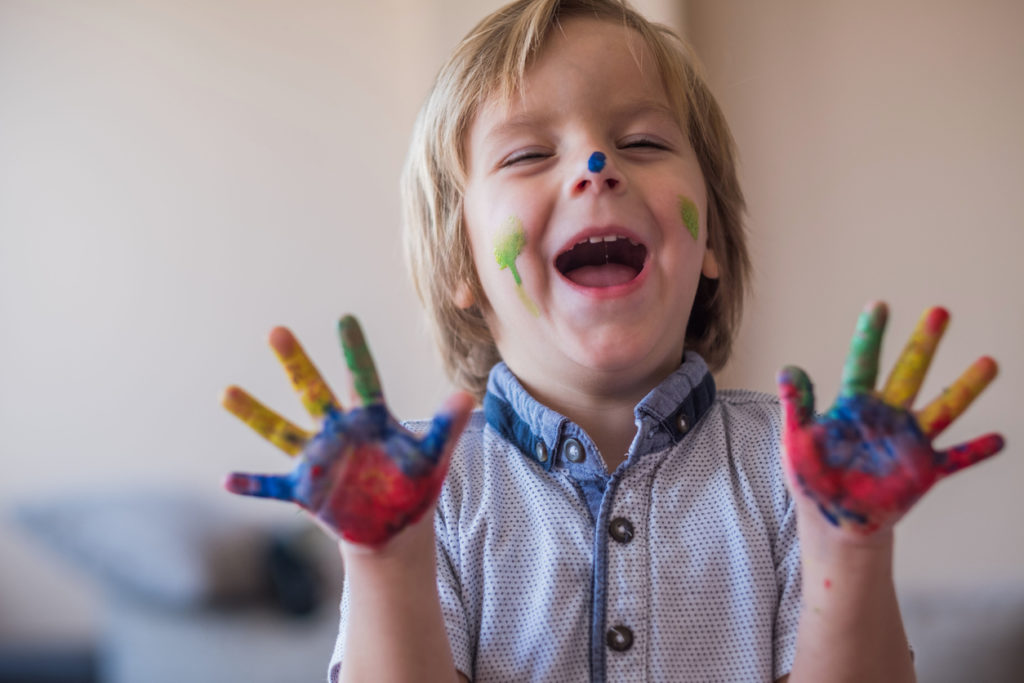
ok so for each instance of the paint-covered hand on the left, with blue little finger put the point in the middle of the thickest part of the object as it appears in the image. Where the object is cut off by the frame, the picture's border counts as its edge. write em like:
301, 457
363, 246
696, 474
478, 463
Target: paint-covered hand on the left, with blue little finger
363, 476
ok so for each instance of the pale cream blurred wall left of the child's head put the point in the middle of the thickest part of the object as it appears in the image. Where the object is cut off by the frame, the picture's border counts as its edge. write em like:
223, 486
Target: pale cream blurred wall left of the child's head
177, 179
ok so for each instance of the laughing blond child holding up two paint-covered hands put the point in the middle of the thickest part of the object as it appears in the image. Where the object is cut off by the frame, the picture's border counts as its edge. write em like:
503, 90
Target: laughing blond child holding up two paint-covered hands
574, 228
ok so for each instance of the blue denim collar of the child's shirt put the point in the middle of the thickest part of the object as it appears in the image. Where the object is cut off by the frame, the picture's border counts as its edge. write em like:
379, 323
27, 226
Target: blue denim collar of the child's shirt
663, 418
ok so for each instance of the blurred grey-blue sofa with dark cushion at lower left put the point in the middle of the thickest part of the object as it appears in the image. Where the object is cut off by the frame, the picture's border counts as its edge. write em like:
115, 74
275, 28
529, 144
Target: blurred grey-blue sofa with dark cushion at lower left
192, 590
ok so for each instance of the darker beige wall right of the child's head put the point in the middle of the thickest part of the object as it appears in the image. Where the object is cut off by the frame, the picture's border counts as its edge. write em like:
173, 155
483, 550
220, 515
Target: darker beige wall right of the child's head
883, 157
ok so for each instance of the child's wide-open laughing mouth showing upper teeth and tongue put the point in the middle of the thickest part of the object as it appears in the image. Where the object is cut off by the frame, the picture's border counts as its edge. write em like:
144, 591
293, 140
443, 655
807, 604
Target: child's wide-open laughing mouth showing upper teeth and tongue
603, 262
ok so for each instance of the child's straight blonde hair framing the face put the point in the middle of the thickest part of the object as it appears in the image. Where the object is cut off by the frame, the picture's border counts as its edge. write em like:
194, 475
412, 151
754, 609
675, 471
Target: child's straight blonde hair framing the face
493, 61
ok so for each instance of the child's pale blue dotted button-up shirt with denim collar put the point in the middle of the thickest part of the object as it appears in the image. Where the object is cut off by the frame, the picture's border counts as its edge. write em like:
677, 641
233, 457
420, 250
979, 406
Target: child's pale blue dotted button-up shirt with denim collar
680, 566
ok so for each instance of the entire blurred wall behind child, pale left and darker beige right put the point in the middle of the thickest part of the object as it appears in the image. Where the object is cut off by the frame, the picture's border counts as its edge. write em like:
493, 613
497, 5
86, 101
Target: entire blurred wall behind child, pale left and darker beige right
177, 178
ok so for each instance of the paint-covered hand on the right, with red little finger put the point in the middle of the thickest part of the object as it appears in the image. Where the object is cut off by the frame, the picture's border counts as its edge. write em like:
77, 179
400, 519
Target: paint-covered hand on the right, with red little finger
870, 458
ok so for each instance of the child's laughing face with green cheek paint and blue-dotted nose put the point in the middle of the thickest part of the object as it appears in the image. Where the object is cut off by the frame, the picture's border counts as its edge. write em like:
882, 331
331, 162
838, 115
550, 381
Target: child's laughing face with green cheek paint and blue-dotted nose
615, 309
